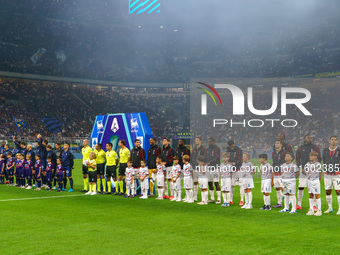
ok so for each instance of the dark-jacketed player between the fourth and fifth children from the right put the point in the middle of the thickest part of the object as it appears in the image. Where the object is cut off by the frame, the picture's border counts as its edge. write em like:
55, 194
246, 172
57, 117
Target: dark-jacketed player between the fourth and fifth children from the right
236, 155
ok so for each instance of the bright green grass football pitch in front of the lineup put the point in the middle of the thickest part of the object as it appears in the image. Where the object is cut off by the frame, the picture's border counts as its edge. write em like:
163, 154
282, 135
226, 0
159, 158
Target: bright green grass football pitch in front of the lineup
47, 222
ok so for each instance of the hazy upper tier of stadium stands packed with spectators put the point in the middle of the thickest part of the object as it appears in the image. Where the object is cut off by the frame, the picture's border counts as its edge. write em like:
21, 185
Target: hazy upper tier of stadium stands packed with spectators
94, 45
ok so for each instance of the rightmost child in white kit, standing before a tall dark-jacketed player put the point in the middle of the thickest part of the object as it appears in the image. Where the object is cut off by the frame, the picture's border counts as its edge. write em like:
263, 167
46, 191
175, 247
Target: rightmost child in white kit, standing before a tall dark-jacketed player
313, 170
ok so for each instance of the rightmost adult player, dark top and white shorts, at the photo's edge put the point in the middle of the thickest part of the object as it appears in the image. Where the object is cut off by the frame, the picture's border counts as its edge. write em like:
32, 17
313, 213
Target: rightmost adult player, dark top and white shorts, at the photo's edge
331, 162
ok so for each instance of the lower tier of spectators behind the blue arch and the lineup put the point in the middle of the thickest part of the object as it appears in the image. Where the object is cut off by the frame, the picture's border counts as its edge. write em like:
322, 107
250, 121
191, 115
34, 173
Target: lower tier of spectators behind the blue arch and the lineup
168, 113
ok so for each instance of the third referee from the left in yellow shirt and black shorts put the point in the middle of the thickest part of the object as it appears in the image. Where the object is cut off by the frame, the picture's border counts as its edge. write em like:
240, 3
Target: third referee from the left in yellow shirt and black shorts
111, 164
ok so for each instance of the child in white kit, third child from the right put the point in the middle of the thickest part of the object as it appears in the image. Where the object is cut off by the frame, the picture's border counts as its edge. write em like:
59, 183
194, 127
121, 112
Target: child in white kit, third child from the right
266, 181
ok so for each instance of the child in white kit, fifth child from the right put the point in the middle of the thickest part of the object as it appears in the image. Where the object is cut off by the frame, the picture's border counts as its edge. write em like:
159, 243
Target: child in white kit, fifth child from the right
226, 175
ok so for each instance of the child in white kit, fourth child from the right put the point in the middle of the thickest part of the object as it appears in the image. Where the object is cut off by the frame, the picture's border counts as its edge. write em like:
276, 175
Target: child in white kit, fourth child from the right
247, 170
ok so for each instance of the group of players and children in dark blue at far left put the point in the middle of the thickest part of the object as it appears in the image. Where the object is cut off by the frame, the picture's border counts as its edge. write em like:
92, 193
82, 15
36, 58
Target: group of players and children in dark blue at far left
27, 169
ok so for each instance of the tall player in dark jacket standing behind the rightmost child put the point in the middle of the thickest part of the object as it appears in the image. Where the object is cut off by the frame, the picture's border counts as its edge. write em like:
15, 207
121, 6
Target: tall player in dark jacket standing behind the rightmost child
302, 158
